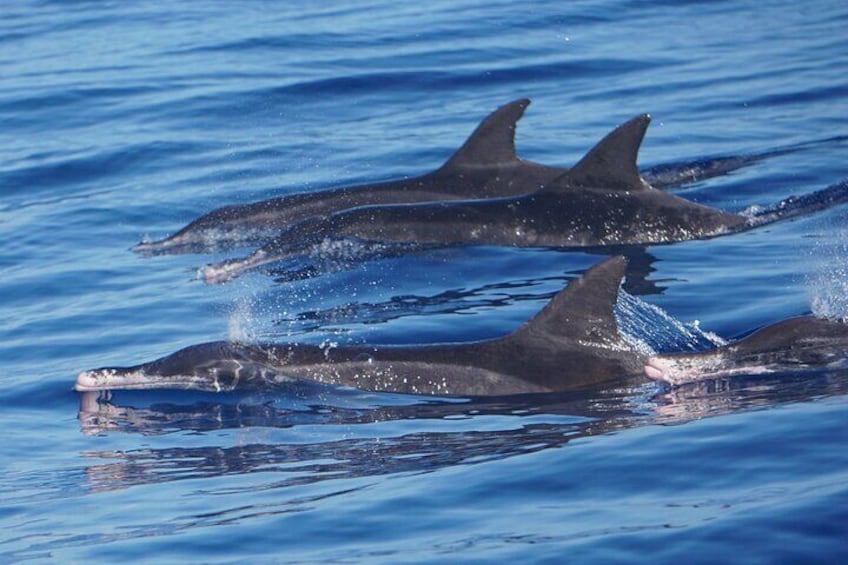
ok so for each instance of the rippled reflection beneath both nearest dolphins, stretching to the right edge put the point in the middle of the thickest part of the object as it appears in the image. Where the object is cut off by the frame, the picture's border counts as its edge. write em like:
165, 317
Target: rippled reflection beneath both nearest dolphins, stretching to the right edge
446, 433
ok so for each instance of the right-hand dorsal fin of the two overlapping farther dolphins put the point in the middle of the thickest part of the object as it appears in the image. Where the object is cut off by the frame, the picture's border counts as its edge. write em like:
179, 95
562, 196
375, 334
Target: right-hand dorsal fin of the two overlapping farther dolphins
612, 163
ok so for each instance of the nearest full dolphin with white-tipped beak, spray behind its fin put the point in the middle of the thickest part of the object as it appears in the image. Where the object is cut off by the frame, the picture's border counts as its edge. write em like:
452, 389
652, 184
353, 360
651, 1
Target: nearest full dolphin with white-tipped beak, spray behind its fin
572, 343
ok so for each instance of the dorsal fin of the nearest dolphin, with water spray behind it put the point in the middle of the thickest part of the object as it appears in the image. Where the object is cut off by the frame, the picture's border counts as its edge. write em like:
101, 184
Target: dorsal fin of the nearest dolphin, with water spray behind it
581, 311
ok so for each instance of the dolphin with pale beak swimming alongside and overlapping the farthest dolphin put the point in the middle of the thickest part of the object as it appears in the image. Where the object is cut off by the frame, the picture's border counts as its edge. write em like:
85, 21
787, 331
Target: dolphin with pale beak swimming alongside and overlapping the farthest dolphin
602, 201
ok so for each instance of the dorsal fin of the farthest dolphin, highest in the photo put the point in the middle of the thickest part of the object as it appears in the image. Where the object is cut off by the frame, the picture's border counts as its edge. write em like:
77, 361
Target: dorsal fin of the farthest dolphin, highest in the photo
493, 142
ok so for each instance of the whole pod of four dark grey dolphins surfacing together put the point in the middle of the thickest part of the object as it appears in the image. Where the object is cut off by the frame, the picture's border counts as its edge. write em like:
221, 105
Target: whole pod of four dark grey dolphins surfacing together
486, 195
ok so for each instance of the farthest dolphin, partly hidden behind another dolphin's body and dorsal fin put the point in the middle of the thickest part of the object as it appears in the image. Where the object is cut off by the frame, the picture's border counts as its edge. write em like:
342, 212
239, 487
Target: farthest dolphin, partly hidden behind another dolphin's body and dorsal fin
486, 166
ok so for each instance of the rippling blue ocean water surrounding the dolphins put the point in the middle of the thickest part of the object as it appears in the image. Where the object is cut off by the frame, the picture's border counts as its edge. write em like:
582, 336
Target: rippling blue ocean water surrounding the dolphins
121, 121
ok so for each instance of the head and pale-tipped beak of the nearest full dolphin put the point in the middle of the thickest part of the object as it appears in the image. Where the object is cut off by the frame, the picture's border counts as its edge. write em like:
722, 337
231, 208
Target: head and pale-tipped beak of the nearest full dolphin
216, 367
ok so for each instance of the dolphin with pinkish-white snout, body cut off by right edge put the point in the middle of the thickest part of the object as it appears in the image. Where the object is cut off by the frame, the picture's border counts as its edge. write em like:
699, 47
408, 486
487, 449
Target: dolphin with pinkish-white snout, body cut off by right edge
796, 344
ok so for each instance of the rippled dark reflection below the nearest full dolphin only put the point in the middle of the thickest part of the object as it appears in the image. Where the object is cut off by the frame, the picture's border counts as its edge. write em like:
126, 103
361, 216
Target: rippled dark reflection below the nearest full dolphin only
513, 426
